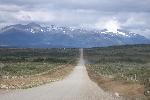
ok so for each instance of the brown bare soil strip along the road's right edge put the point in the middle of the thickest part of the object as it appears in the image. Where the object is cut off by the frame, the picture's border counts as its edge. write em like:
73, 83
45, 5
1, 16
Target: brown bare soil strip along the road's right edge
129, 90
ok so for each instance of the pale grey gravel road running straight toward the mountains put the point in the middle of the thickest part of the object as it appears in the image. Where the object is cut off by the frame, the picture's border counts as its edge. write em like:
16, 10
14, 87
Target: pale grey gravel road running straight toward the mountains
77, 86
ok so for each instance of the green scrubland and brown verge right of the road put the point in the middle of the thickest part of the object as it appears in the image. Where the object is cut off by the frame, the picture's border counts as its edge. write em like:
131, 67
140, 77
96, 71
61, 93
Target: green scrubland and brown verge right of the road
122, 69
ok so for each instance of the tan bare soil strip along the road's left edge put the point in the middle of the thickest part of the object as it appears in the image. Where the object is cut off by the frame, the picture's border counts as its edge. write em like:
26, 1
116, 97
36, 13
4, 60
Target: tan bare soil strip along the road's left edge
36, 80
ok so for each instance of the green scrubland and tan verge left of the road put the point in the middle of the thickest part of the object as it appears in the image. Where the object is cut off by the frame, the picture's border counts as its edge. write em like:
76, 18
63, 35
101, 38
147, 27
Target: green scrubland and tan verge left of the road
23, 68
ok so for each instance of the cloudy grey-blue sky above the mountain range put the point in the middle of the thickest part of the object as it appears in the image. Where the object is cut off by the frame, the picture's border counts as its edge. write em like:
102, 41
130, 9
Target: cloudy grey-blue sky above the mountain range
131, 15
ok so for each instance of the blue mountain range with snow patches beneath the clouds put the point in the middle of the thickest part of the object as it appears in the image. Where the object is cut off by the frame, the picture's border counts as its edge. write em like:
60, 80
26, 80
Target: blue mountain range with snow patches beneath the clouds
34, 35
